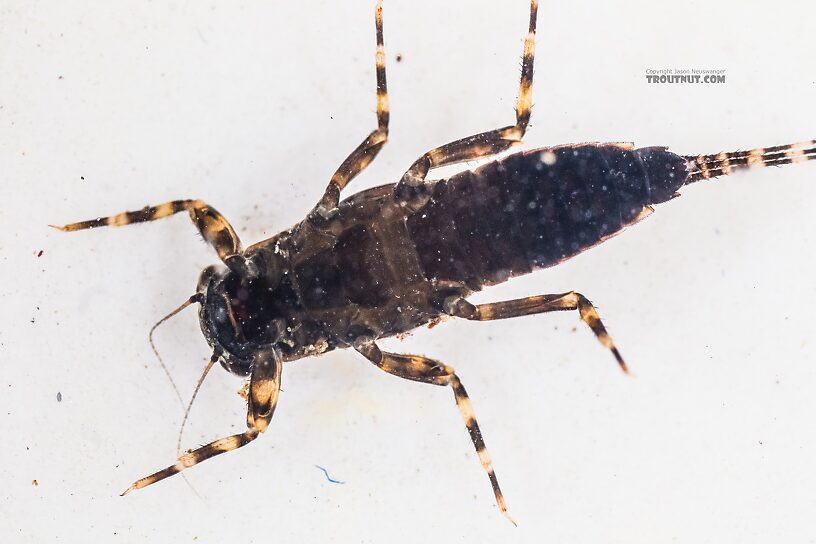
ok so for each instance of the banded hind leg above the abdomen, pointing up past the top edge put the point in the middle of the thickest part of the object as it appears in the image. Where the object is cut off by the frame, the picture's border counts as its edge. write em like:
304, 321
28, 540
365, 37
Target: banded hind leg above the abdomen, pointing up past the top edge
486, 143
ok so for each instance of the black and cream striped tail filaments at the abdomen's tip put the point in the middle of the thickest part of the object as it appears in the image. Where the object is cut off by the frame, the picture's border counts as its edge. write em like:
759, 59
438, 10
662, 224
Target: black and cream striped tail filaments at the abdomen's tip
723, 164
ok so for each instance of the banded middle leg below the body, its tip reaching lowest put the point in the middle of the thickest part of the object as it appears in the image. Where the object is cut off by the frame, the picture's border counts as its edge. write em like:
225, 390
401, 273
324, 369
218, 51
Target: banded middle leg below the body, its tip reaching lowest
425, 370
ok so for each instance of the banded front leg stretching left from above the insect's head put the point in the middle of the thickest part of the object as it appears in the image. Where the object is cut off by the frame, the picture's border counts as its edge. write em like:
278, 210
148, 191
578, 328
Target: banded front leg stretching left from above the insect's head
214, 228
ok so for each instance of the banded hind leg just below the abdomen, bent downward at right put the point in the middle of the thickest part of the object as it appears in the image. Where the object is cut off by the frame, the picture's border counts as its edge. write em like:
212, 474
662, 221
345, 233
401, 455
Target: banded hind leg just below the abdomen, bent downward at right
459, 307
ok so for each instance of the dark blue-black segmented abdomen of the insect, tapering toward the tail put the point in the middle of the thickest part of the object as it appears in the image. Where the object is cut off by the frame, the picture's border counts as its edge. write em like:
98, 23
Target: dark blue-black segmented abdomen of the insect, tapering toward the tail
534, 209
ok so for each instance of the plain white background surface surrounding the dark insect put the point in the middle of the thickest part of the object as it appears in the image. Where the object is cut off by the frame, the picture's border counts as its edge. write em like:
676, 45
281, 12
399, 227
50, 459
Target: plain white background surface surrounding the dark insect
251, 106
